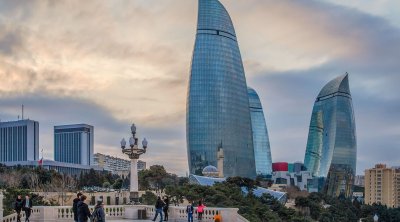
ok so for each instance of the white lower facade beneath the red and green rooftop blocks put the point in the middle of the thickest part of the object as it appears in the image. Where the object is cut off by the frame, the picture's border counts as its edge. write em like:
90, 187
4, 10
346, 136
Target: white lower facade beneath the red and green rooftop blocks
299, 179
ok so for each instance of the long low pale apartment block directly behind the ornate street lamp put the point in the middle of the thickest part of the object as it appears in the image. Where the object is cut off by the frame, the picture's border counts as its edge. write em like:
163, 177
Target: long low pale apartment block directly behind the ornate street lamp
116, 165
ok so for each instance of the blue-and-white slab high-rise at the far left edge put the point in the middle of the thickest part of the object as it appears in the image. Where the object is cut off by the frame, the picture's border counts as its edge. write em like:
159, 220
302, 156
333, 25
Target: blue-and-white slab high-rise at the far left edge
19, 141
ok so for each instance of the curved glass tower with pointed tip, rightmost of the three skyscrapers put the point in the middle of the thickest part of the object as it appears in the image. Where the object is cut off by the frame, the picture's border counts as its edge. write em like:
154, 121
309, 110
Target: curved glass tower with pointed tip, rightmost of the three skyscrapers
331, 147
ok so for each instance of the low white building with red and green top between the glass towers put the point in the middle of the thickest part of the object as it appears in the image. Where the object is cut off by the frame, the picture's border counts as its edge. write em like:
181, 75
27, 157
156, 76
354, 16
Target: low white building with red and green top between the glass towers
283, 176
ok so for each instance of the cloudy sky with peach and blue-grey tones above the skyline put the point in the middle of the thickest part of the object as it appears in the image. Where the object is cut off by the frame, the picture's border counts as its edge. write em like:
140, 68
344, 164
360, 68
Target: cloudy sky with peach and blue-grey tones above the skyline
111, 63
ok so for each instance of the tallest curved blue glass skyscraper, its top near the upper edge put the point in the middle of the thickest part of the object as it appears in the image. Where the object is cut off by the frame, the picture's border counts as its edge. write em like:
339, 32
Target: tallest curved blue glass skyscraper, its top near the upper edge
218, 112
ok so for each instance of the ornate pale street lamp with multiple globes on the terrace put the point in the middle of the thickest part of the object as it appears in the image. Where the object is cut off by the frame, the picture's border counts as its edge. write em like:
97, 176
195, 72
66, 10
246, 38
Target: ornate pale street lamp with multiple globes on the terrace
134, 152
